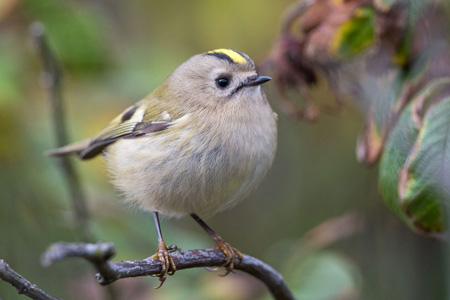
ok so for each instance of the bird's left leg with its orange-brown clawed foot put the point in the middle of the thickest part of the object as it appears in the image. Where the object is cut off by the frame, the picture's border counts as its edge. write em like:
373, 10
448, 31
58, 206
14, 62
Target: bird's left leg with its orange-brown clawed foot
167, 264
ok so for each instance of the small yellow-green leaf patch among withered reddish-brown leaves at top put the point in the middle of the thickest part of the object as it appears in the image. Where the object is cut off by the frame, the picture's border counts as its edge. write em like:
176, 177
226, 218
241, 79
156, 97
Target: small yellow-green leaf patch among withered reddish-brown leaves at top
354, 35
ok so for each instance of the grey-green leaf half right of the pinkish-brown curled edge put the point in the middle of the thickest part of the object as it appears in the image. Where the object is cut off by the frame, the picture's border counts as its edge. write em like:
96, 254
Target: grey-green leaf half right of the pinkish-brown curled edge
425, 182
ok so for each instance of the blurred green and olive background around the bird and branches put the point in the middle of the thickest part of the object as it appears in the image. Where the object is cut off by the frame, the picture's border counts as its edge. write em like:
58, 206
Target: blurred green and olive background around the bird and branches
317, 218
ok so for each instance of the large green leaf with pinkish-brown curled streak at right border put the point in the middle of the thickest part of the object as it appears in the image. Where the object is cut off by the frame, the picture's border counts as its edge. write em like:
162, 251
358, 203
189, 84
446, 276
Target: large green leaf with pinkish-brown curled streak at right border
417, 151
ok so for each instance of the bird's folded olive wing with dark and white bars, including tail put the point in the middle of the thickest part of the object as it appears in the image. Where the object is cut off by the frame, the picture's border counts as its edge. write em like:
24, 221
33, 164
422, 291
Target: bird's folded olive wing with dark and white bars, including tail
144, 117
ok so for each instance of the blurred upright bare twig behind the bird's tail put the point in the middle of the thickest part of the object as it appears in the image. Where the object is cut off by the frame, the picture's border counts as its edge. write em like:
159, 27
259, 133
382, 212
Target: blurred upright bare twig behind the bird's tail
52, 78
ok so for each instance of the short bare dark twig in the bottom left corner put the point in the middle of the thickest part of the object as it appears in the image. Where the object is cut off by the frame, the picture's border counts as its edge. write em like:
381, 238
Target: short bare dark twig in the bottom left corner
22, 285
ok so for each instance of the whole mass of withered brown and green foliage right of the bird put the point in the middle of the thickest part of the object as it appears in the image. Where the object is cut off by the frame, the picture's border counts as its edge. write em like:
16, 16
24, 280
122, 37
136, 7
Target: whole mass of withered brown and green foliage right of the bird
393, 58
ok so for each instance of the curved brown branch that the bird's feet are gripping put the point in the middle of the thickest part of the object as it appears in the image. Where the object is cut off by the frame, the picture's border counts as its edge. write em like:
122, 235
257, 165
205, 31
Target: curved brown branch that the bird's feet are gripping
100, 253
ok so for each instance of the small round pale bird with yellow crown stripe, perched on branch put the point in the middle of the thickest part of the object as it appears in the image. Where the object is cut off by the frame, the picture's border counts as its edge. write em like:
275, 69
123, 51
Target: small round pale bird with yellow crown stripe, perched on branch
197, 145
